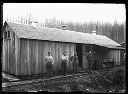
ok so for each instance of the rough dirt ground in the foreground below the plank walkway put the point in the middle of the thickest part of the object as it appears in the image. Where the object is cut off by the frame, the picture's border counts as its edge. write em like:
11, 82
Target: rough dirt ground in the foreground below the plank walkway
111, 80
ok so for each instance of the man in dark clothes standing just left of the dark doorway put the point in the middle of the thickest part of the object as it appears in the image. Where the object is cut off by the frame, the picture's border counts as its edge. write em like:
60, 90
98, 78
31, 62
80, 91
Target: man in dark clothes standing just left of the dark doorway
75, 63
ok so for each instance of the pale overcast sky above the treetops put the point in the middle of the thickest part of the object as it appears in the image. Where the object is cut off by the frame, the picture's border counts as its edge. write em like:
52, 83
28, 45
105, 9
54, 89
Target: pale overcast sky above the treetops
74, 12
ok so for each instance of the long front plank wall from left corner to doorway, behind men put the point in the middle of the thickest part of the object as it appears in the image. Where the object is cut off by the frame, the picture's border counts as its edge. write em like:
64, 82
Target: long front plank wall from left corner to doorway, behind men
33, 53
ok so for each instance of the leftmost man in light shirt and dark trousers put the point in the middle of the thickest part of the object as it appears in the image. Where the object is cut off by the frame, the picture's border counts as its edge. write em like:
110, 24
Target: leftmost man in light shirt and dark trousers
49, 64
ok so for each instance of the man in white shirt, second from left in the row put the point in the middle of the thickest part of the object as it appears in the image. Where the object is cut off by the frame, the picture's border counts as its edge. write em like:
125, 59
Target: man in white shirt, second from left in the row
64, 63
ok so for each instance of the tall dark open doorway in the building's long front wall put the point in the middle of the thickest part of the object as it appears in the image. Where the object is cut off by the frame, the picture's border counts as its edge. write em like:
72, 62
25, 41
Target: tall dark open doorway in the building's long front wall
79, 54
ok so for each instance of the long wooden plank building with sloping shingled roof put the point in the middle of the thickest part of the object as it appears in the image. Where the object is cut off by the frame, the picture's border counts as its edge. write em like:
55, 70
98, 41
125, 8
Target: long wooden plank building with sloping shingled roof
25, 48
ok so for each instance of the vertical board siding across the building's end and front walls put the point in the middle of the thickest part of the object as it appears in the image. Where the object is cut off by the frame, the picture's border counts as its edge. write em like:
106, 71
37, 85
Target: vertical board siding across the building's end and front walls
27, 57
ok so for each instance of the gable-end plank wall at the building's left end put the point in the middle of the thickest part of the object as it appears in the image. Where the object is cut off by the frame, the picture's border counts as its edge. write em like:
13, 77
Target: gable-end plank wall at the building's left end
11, 53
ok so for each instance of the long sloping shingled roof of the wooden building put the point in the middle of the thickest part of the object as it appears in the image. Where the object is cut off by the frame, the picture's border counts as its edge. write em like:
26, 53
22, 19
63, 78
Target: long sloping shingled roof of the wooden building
52, 34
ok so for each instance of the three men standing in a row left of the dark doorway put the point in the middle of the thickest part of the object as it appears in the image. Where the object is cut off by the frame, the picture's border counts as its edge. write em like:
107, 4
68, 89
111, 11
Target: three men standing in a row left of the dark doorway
65, 59
